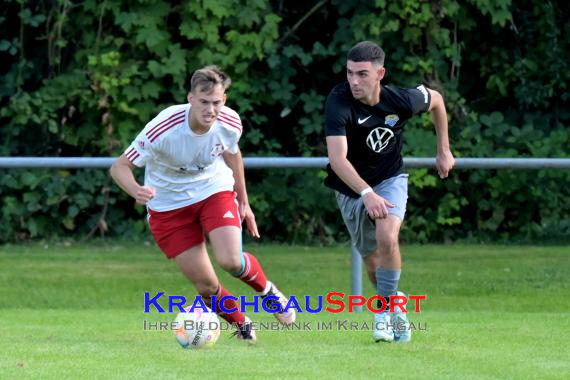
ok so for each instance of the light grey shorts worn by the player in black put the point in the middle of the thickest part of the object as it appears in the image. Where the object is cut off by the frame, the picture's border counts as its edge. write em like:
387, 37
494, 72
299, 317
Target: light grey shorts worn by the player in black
363, 230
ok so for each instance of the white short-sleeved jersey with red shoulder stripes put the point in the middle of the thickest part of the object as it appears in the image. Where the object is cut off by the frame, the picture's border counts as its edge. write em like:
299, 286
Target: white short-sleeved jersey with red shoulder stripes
182, 166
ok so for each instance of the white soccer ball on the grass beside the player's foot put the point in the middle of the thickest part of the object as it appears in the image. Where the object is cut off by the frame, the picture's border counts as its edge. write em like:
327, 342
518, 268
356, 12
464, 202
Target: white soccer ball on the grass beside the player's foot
197, 329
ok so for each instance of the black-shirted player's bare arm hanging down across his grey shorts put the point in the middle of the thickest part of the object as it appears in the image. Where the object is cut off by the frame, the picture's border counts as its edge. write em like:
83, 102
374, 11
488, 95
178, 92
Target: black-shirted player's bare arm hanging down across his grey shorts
337, 147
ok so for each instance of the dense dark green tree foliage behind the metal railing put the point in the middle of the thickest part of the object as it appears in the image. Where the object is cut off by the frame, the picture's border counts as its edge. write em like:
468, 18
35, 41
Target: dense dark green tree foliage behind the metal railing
81, 79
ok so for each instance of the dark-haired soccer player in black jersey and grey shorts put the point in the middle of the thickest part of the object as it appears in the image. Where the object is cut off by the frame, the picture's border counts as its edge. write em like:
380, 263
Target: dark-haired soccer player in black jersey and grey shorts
364, 126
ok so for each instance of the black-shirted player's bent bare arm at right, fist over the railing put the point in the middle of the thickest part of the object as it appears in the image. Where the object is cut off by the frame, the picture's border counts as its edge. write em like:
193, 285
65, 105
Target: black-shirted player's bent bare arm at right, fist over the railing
444, 160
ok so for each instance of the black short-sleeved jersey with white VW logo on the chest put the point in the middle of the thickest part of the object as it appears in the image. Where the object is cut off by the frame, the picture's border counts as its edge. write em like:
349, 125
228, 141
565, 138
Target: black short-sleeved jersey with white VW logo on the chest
373, 133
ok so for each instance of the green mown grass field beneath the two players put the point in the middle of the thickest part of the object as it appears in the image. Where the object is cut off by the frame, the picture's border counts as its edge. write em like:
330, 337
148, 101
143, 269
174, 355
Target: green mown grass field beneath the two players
492, 312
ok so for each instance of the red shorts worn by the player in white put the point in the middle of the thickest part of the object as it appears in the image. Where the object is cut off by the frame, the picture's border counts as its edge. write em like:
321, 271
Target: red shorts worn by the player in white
177, 230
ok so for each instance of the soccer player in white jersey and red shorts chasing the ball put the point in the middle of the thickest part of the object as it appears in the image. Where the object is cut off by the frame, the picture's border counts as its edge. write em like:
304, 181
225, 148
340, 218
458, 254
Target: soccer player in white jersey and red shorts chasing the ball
195, 185
